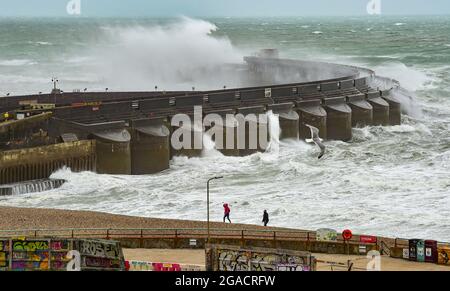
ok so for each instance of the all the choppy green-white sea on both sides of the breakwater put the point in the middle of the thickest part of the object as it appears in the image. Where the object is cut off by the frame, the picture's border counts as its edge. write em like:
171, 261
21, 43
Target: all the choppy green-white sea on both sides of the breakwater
391, 181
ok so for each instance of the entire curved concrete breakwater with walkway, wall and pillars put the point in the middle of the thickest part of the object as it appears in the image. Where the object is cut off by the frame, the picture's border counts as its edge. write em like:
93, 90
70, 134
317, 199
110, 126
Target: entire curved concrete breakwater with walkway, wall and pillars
132, 133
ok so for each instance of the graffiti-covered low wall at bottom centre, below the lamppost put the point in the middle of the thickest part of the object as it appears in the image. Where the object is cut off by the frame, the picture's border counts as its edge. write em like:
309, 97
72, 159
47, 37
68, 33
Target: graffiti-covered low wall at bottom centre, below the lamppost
245, 260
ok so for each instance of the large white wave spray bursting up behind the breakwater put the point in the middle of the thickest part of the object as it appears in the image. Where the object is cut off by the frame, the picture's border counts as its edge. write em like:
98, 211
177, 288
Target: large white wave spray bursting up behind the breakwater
178, 55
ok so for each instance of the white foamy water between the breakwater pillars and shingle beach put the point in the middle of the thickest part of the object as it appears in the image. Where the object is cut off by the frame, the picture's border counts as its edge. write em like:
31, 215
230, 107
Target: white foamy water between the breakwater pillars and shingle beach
290, 186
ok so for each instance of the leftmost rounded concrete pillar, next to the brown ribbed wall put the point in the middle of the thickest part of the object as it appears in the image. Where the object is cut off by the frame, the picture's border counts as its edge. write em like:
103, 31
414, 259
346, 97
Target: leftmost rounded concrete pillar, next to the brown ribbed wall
113, 152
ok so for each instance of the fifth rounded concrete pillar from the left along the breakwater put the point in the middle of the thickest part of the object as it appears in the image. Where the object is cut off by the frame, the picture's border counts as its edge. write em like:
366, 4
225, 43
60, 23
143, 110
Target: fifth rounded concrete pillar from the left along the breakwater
253, 130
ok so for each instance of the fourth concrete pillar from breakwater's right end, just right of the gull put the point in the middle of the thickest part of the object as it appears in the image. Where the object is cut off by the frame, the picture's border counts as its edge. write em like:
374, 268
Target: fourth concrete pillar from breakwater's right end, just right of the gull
339, 119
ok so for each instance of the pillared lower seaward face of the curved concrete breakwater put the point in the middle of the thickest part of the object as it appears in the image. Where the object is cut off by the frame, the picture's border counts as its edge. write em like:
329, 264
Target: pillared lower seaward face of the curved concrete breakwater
143, 146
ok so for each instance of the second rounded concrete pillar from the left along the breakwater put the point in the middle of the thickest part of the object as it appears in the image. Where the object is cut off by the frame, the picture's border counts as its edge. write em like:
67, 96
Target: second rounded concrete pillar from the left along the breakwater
150, 148
